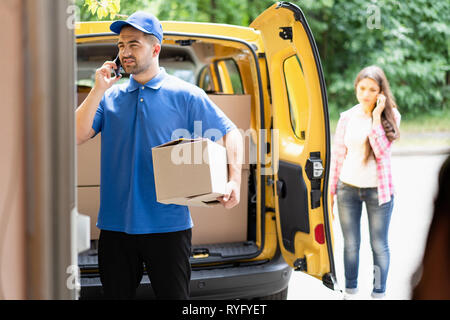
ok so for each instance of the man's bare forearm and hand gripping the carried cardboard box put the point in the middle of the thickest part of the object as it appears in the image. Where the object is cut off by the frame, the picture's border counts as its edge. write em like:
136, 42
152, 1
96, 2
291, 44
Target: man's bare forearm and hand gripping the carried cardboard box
234, 146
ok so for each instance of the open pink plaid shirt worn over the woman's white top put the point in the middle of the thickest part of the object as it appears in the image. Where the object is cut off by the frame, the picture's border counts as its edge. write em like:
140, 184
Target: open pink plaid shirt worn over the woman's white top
381, 147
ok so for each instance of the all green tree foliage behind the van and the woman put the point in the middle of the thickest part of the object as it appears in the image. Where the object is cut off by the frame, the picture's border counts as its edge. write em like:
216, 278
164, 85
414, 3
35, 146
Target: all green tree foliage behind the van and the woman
408, 39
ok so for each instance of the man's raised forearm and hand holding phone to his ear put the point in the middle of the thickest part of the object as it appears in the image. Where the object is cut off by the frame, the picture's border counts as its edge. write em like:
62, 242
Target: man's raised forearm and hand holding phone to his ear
85, 113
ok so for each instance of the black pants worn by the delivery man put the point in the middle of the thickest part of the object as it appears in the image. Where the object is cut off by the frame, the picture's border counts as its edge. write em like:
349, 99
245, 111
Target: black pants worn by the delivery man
121, 259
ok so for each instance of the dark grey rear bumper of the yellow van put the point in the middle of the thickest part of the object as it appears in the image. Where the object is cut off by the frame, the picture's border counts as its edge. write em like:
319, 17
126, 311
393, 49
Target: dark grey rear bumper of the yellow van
242, 282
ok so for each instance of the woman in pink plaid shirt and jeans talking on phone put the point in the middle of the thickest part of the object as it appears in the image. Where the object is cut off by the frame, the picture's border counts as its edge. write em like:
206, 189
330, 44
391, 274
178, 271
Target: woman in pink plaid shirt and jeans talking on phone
361, 172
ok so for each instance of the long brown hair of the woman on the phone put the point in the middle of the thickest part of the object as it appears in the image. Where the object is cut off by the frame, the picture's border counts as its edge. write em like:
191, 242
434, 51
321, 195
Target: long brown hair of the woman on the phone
387, 117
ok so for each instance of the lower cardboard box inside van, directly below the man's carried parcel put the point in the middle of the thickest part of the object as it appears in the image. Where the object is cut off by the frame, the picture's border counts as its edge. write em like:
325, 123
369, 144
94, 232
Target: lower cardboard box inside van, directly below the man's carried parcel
218, 224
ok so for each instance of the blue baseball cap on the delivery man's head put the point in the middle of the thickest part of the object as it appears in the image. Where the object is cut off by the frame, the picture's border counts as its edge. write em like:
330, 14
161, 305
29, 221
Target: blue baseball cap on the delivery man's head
143, 21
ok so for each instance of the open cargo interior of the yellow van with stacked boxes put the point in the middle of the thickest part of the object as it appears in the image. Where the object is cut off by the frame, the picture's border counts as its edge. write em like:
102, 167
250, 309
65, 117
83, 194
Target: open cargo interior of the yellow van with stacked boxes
220, 237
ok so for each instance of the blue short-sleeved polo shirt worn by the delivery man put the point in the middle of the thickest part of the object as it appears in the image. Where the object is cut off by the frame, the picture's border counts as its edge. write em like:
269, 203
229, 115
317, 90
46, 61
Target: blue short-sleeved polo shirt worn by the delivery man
133, 118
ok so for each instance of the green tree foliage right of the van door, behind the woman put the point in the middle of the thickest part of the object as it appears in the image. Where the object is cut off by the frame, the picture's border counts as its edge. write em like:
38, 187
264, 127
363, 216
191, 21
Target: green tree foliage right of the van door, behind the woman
410, 42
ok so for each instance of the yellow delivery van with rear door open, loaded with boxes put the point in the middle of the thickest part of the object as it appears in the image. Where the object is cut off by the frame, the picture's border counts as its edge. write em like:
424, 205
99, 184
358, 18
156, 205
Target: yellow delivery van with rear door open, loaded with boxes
268, 79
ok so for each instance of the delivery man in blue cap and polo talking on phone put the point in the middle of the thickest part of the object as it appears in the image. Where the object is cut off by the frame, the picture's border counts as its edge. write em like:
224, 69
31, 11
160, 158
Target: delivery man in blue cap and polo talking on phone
133, 117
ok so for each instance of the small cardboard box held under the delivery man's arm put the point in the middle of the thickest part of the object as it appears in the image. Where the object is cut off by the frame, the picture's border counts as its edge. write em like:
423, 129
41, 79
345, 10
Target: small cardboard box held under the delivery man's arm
190, 172
